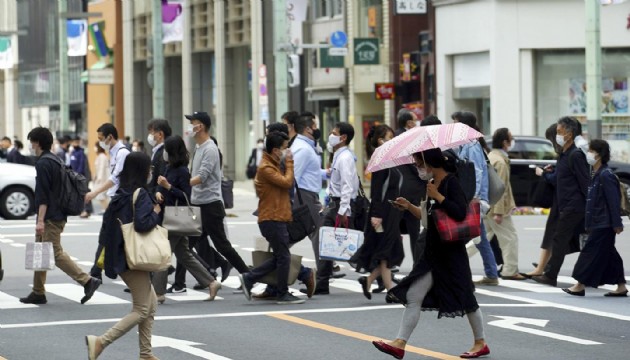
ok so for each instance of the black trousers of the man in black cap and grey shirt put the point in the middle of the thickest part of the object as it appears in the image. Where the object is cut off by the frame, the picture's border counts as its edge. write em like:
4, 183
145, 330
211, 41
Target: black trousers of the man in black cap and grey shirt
212, 216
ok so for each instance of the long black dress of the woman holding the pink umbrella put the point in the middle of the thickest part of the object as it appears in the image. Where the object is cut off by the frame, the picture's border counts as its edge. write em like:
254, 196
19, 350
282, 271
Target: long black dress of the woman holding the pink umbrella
452, 293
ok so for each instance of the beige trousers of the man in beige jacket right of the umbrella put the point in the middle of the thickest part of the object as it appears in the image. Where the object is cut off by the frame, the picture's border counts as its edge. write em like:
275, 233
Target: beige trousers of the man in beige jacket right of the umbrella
508, 242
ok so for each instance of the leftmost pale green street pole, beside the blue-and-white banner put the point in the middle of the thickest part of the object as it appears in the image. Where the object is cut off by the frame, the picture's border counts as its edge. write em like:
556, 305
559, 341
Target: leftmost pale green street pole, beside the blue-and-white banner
64, 107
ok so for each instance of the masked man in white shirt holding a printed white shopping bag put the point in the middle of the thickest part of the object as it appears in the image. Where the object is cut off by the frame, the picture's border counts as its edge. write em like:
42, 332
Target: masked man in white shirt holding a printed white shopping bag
343, 187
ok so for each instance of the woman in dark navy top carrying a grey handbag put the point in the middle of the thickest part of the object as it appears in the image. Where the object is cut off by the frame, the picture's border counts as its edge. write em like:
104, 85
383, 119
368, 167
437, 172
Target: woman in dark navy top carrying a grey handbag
174, 187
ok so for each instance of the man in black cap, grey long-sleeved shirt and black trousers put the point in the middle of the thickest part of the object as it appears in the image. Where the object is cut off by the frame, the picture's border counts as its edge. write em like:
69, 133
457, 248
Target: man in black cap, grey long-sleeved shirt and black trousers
206, 188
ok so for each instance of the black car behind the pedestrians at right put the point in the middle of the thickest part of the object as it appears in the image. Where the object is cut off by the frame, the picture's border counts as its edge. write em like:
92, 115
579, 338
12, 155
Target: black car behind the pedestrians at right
532, 151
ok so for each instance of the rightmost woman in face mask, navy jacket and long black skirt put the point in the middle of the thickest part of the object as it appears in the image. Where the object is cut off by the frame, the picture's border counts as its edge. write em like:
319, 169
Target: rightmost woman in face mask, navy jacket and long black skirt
599, 262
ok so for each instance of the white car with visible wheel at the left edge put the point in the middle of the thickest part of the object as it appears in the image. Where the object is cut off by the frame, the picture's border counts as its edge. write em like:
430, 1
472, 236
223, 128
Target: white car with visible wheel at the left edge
17, 191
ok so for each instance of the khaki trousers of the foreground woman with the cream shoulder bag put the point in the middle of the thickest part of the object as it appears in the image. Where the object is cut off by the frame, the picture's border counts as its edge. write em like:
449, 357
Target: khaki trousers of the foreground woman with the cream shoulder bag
144, 305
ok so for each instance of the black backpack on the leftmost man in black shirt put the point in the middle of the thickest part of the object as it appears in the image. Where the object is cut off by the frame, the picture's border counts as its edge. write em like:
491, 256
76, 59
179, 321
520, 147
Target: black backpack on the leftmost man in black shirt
72, 189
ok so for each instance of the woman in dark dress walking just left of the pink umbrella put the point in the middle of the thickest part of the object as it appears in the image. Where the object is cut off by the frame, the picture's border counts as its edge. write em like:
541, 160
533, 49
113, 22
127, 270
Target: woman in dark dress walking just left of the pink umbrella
383, 248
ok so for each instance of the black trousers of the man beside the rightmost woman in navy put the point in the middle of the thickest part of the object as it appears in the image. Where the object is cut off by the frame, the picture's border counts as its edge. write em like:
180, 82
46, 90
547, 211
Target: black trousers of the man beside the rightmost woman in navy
566, 240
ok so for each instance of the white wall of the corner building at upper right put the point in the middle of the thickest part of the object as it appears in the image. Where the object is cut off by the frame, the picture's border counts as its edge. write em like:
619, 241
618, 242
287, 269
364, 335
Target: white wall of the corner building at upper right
510, 30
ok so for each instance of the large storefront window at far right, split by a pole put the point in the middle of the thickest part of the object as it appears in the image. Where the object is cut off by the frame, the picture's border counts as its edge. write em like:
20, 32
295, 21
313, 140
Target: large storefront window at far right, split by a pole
561, 90
